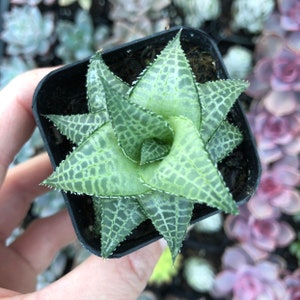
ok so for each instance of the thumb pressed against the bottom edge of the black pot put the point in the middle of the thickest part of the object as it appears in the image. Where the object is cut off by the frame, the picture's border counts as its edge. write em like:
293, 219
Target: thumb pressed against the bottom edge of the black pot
97, 278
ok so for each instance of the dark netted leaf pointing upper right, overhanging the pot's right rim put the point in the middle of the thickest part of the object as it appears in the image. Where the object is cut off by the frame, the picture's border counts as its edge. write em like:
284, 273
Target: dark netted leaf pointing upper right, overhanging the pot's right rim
217, 98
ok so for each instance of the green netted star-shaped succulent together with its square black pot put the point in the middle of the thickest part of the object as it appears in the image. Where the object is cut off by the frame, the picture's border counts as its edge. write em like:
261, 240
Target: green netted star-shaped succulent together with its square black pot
146, 139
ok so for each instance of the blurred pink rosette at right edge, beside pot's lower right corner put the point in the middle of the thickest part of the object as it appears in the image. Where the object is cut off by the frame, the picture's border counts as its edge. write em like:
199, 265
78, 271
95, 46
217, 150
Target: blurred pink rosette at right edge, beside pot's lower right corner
277, 190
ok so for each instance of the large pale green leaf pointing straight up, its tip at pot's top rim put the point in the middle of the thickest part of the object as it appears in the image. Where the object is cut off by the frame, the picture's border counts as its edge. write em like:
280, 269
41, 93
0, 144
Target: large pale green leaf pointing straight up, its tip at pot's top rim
167, 86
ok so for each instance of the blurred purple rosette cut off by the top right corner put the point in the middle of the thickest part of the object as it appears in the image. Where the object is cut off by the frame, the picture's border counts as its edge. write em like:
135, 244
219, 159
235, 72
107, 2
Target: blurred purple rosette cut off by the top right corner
289, 14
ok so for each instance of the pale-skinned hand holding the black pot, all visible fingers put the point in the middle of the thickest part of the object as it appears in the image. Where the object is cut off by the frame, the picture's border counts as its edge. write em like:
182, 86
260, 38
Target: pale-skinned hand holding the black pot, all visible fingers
33, 251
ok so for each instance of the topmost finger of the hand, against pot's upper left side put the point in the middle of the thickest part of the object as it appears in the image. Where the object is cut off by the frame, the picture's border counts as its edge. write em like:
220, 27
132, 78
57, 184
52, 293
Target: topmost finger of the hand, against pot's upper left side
16, 119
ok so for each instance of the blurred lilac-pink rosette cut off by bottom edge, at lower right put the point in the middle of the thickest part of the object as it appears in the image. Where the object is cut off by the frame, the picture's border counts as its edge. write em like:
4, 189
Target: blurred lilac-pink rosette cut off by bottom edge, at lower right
243, 278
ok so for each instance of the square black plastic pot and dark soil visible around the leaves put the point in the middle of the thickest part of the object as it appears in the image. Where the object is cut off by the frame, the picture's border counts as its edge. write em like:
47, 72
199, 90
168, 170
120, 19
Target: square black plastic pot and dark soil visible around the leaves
63, 92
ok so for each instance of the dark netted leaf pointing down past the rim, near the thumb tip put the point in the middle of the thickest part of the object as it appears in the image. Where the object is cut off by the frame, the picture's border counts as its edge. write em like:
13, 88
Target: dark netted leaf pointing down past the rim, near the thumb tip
170, 216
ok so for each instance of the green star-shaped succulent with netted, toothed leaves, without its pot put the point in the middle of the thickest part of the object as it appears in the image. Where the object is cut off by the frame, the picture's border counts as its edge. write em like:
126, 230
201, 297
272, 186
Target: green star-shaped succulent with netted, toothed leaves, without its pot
150, 150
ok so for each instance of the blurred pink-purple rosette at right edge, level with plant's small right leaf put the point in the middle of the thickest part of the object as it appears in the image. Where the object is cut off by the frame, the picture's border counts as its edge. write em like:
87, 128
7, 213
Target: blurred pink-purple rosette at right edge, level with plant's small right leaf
276, 136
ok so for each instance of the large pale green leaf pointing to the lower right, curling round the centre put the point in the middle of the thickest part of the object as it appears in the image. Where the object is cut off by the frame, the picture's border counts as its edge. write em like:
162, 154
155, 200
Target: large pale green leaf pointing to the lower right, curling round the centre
188, 172
